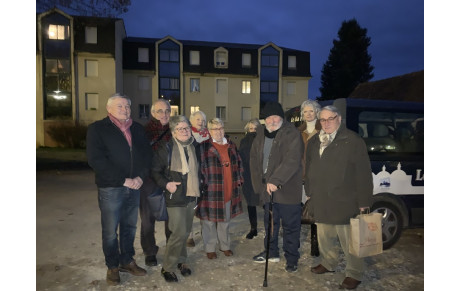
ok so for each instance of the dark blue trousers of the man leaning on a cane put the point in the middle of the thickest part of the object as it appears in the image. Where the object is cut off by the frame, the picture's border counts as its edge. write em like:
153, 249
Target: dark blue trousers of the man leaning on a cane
290, 217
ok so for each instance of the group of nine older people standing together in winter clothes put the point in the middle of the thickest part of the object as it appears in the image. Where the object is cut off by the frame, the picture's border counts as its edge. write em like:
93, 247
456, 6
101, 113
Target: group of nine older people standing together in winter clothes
204, 175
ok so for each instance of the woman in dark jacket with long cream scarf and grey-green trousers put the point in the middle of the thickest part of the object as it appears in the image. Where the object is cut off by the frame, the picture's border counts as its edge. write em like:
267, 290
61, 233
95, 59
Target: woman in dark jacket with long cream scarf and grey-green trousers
175, 169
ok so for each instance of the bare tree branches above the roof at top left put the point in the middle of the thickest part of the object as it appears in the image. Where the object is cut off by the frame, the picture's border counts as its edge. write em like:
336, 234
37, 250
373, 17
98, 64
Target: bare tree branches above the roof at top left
101, 8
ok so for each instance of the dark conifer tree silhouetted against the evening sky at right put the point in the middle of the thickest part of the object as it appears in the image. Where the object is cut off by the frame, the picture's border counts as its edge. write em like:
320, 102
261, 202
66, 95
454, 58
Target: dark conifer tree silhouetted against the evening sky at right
348, 64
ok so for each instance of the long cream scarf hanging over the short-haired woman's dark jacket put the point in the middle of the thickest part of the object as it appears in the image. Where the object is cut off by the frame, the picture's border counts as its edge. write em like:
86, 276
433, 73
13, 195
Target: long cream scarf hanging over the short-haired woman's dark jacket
179, 164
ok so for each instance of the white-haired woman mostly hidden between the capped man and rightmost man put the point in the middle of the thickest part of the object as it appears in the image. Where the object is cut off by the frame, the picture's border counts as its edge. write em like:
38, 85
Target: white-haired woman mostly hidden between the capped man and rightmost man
311, 126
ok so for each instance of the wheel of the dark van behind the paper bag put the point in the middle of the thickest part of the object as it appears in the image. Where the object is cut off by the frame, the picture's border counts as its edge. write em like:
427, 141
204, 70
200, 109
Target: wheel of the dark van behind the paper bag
392, 222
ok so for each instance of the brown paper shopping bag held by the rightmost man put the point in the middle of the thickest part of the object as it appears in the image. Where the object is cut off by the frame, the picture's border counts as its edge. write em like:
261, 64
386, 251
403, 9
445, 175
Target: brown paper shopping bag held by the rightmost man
366, 235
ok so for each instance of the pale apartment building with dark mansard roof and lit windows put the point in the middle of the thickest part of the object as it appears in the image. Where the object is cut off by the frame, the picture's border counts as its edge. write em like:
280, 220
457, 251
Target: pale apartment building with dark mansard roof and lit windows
81, 61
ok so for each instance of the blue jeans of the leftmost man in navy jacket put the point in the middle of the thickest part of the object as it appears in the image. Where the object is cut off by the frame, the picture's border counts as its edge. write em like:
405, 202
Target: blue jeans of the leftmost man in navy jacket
119, 207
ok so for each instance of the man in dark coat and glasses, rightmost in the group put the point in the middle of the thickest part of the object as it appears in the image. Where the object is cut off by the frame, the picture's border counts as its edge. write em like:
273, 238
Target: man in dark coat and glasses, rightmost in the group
338, 178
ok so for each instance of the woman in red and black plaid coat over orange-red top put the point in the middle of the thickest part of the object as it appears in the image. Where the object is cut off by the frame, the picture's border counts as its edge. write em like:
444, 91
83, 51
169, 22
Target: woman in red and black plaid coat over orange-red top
221, 170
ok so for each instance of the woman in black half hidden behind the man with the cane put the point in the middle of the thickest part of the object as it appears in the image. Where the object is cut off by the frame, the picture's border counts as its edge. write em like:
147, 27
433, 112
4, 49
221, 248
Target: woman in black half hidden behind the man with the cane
252, 199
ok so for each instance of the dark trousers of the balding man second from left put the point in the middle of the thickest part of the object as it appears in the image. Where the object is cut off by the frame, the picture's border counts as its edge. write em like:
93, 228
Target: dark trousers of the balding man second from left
148, 241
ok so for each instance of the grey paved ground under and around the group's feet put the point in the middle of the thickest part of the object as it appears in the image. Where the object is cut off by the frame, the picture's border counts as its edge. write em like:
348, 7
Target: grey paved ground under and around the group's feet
69, 253
